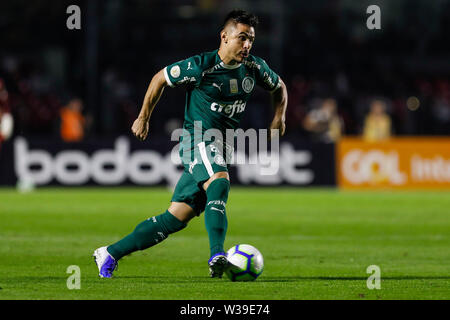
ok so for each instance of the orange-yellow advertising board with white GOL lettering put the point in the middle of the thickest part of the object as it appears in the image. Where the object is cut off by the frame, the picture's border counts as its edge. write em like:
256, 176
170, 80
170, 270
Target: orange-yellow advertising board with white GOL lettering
399, 163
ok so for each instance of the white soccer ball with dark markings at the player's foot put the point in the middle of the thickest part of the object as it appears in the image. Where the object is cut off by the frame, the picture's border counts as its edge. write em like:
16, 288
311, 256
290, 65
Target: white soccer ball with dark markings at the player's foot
245, 263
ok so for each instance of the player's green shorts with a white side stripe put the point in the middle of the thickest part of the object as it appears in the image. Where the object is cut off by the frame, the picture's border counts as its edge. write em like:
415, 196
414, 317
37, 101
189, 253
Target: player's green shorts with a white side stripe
206, 160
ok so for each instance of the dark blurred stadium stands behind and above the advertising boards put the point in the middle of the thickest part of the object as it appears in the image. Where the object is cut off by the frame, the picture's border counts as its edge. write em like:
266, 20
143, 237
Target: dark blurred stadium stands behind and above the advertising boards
320, 48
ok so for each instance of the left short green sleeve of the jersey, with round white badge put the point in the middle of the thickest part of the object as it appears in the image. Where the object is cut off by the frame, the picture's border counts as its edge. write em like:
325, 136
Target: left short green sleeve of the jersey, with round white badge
188, 71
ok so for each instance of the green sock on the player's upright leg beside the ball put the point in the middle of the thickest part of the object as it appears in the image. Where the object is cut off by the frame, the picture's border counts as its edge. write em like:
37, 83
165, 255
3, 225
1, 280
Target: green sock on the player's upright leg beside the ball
215, 216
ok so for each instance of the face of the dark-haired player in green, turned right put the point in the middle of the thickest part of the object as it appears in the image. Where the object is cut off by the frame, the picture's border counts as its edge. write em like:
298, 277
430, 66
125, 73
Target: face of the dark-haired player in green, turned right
240, 41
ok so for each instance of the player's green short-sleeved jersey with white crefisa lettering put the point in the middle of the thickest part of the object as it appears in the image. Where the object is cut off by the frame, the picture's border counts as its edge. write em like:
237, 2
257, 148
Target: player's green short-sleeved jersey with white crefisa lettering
216, 92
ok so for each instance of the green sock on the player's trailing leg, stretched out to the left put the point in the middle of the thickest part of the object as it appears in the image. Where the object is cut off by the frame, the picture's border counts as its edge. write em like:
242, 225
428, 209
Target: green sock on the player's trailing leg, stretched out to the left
147, 234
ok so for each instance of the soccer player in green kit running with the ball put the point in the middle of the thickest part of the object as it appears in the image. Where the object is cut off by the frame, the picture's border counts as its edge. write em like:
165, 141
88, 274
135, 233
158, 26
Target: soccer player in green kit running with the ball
218, 85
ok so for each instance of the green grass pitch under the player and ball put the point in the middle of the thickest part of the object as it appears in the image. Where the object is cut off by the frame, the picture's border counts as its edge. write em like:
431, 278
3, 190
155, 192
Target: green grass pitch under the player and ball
317, 244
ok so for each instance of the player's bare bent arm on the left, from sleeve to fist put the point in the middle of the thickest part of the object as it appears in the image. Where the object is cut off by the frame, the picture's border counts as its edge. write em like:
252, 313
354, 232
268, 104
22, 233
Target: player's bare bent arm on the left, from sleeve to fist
155, 89
